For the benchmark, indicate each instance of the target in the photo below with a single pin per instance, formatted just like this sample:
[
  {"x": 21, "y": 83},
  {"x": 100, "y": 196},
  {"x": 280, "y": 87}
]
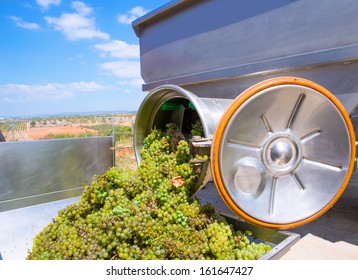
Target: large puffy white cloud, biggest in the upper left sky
[{"x": 78, "y": 25}]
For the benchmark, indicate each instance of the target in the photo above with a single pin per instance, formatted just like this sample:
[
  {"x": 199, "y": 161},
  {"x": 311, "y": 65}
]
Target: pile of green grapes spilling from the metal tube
[{"x": 145, "y": 214}]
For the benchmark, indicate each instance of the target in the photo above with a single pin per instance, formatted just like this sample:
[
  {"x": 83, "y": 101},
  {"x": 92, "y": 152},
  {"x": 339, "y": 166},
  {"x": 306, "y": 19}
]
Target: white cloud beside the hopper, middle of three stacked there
[{"x": 118, "y": 49}]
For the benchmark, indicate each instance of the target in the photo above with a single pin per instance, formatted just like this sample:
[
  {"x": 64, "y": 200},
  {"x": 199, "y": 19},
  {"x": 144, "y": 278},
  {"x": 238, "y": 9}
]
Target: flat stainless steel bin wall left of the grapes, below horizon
[{"x": 33, "y": 172}]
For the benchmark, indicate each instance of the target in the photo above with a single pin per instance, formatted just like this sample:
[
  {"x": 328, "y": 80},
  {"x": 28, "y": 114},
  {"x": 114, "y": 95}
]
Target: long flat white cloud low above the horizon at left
[{"x": 47, "y": 92}]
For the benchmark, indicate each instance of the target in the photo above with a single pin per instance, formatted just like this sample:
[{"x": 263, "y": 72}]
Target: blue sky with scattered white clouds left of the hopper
[{"x": 70, "y": 56}]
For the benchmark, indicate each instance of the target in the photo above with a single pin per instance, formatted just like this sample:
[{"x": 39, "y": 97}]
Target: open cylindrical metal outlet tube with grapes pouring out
[{"x": 173, "y": 104}]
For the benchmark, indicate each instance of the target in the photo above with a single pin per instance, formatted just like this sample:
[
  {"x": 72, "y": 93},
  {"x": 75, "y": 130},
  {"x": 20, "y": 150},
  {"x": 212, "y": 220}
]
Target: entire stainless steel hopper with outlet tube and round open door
[{"x": 282, "y": 148}]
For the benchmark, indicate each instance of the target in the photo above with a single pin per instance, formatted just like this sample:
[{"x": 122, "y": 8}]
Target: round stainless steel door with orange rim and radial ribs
[{"x": 283, "y": 153}]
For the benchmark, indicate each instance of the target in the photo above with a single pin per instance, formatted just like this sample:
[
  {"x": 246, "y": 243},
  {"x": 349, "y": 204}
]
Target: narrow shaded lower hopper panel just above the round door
[{"x": 340, "y": 78}]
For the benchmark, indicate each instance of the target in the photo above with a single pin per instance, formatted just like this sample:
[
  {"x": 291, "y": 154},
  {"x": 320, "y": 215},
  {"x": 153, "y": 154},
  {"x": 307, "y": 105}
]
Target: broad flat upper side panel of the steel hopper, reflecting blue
[{"x": 226, "y": 38}]
